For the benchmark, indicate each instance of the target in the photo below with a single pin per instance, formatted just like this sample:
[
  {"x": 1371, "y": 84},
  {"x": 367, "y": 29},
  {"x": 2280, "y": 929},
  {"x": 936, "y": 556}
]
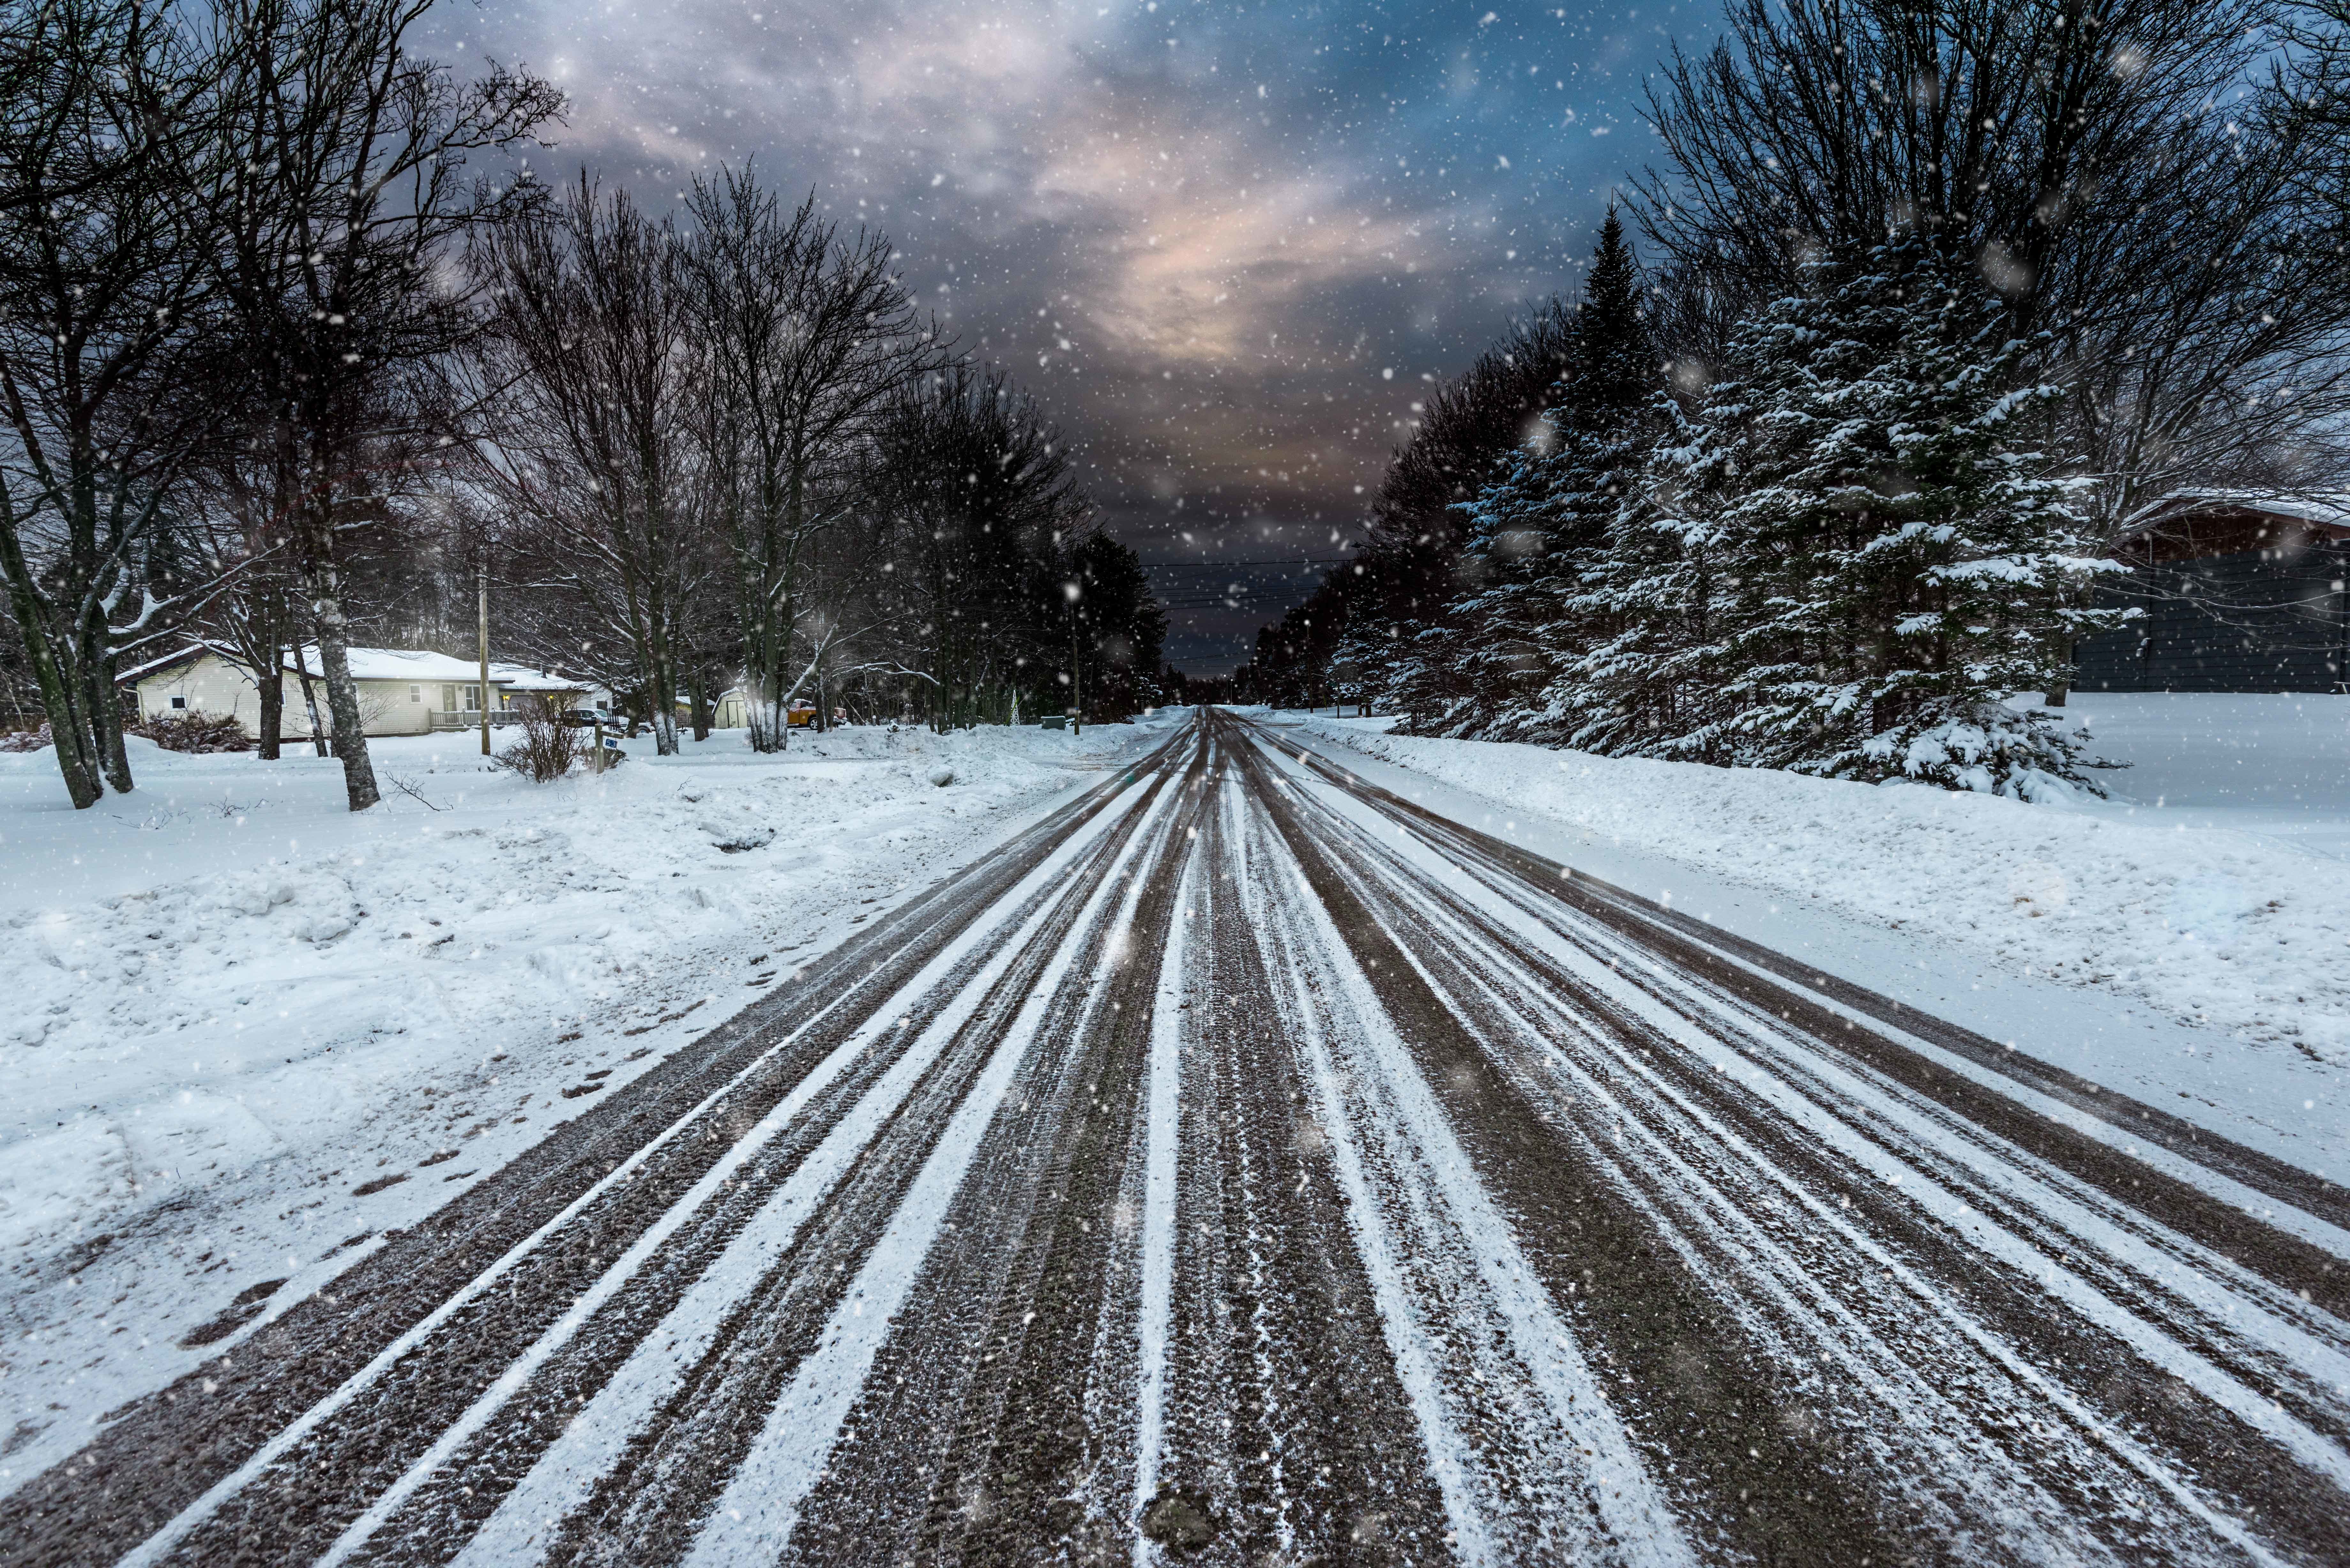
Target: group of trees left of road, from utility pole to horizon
[{"x": 723, "y": 448}]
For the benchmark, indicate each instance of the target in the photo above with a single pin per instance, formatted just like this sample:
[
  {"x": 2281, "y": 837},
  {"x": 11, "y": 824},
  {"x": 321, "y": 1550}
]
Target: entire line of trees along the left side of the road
[{"x": 295, "y": 344}]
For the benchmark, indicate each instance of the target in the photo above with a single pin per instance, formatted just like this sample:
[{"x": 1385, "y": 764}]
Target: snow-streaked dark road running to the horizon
[{"x": 1244, "y": 1167}]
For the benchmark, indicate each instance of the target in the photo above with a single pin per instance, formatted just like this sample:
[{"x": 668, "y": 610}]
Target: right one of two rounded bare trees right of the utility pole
[{"x": 807, "y": 333}]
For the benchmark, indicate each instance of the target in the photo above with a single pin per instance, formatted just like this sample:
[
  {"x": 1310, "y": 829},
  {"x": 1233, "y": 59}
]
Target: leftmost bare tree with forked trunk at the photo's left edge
[{"x": 102, "y": 314}]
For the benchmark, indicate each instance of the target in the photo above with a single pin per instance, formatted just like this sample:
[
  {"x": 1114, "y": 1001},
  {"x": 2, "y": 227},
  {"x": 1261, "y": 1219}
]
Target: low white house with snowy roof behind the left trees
[{"x": 403, "y": 692}]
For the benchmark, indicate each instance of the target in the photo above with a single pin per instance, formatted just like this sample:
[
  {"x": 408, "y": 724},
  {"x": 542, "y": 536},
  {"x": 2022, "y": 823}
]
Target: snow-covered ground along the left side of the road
[{"x": 248, "y": 1031}]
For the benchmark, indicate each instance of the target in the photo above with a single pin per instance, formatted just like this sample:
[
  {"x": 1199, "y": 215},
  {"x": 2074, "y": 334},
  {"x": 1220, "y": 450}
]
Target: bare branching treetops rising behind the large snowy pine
[{"x": 2104, "y": 163}]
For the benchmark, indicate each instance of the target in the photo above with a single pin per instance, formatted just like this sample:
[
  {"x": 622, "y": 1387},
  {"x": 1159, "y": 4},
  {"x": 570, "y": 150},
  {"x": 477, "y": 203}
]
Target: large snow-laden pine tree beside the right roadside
[{"x": 1884, "y": 561}]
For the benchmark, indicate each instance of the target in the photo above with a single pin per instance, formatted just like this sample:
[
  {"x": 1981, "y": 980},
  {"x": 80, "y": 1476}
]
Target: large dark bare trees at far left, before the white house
[{"x": 222, "y": 246}]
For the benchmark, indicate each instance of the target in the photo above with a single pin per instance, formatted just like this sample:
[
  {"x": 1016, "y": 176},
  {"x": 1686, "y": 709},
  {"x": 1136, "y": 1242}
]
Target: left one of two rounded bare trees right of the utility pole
[{"x": 589, "y": 443}]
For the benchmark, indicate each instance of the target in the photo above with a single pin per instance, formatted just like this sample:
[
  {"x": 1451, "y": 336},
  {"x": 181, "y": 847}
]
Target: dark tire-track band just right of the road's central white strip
[{"x": 1289, "y": 1435}]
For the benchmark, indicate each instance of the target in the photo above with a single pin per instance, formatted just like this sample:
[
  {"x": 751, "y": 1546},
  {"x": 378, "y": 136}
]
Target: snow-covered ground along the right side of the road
[{"x": 2210, "y": 890}]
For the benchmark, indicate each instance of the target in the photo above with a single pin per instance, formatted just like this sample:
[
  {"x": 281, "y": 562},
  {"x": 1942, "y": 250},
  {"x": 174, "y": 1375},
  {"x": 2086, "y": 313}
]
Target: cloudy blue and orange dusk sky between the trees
[{"x": 1228, "y": 246}]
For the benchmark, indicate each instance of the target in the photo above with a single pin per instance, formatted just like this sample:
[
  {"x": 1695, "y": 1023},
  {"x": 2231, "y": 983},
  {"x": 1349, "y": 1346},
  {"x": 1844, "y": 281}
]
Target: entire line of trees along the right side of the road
[{"x": 1942, "y": 295}]
